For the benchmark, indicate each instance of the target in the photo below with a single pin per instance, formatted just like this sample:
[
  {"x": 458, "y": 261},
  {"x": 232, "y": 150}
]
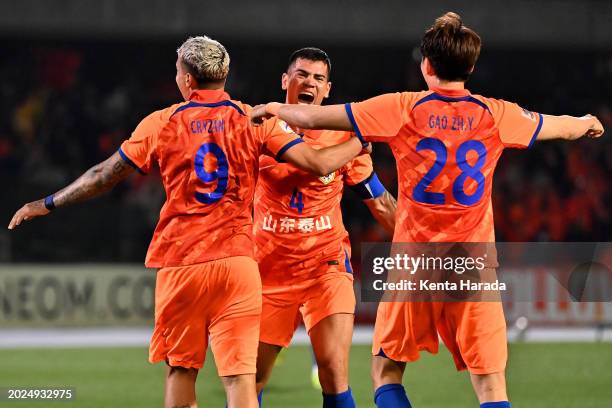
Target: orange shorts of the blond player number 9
[{"x": 220, "y": 300}]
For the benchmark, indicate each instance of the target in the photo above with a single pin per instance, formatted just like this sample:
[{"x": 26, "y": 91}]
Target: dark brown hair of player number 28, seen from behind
[{"x": 451, "y": 48}]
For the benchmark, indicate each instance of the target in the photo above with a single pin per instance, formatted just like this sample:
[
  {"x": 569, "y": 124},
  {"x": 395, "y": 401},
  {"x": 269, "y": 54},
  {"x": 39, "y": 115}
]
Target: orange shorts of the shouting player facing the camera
[{"x": 312, "y": 299}]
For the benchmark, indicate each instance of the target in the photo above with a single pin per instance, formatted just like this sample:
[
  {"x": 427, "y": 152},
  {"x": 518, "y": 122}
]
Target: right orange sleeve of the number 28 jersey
[{"x": 517, "y": 126}]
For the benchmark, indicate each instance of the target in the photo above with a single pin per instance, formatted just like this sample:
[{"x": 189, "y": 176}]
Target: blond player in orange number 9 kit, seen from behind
[{"x": 208, "y": 285}]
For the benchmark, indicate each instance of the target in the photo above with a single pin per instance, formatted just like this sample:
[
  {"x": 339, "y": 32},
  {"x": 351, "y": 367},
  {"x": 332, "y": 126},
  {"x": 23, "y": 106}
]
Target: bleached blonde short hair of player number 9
[{"x": 206, "y": 59}]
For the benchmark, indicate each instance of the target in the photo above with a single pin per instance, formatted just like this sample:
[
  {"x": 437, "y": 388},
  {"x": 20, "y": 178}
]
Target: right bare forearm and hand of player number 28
[{"x": 570, "y": 127}]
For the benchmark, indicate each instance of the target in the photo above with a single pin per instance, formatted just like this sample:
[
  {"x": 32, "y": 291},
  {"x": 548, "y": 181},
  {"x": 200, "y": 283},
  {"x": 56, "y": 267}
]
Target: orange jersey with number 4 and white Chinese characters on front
[{"x": 298, "y": 221}]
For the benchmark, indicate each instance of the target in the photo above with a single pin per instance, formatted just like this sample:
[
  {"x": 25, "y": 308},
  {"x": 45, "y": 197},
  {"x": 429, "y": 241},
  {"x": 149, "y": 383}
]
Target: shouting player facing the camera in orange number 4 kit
[{"x": 301, "y": 245}]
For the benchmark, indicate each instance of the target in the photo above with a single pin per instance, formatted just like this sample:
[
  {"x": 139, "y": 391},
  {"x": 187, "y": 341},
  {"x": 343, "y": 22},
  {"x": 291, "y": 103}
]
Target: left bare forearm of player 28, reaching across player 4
[{"x": 333, "y": 117}]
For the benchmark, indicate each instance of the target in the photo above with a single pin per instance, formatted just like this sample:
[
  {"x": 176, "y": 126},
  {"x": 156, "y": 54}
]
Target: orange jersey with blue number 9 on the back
[{"x": 208, "y": 155}]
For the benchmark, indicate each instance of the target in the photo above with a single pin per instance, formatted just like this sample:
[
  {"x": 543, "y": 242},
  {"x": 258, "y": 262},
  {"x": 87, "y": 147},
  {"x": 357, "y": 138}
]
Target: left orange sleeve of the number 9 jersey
[{"x": 139, "y": 150}]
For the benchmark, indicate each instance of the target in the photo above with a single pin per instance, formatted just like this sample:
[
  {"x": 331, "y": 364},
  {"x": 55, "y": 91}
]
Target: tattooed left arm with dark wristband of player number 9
[{"x": 95, "y": 181}]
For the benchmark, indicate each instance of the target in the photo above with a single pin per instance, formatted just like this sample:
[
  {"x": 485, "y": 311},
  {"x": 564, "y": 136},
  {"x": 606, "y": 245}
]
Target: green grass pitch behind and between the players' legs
[{"x": 539, "y": 375}]
